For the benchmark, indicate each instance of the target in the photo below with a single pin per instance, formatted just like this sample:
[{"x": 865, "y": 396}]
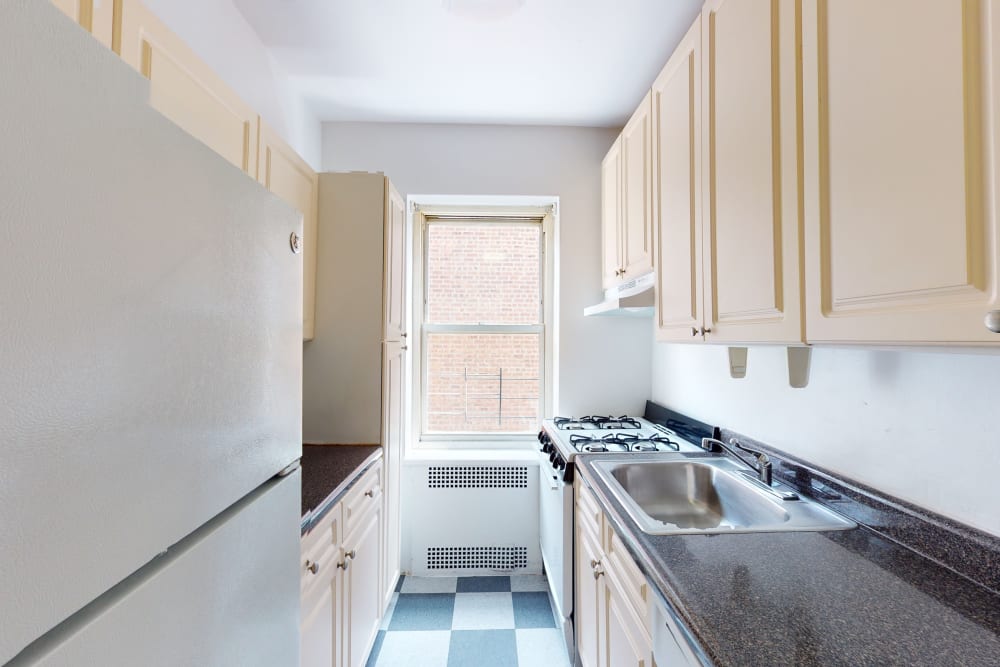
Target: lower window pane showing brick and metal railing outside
[{"x": 483, "y": 383}]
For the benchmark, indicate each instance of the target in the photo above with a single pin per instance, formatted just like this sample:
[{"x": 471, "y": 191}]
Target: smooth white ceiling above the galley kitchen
[{"x": 553, "y": 62}]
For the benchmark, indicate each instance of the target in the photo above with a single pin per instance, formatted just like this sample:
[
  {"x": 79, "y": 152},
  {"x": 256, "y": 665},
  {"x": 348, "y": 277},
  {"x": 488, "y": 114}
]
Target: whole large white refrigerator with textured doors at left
[{"x": 150, "y": 375}]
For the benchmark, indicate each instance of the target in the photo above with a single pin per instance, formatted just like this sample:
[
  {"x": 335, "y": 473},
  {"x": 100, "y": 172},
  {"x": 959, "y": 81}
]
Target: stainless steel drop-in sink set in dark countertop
[{"x": 684, "y": 495}]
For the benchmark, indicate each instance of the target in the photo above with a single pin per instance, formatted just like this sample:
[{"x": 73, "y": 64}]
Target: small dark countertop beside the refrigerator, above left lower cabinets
[{"x": 328, "y": 471}]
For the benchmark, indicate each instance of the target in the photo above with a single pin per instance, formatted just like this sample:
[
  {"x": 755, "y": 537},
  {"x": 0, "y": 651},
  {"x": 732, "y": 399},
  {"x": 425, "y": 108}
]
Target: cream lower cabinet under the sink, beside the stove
[{"x": 611, "y": 595}]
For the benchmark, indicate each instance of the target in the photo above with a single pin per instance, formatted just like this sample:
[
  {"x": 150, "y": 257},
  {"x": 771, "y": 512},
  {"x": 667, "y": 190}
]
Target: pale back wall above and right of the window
[{"x": 604, "y": 362}]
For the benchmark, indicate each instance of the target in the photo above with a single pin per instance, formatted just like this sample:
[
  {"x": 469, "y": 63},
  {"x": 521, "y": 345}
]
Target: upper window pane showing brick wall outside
[{"x": 480, "y": 273}]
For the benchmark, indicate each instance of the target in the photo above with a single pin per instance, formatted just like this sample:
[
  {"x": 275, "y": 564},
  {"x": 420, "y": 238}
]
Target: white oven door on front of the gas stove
[{"x": 556, "y": 526}]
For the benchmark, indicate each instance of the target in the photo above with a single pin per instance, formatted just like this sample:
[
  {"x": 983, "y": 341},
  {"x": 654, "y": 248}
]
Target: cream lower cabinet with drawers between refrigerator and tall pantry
[{"x": 342, "y": 564}]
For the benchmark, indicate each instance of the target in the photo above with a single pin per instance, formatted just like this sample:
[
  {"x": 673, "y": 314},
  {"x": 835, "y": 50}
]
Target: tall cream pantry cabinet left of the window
[{"x": 354, "y": 370}]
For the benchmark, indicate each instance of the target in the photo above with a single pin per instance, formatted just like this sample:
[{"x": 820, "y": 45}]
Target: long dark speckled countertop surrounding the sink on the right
[{"x": 850, "y": 597}]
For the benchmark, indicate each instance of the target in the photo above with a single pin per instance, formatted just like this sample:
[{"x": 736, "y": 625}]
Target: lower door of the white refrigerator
[{"x": 229, "y": 595}]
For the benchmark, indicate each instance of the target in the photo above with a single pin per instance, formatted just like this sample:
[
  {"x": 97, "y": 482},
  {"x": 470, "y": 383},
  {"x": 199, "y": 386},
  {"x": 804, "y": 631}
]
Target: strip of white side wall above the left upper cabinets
[{"x": 218, "y": 33}]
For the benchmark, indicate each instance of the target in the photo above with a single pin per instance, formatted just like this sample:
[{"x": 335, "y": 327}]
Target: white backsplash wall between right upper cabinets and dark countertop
[{"x": 921, "y": 426}]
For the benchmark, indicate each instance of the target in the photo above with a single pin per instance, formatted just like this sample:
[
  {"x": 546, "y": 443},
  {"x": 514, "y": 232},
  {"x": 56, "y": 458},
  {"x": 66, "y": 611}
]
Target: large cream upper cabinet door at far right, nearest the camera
[{"x": 901, "y": 139}]
